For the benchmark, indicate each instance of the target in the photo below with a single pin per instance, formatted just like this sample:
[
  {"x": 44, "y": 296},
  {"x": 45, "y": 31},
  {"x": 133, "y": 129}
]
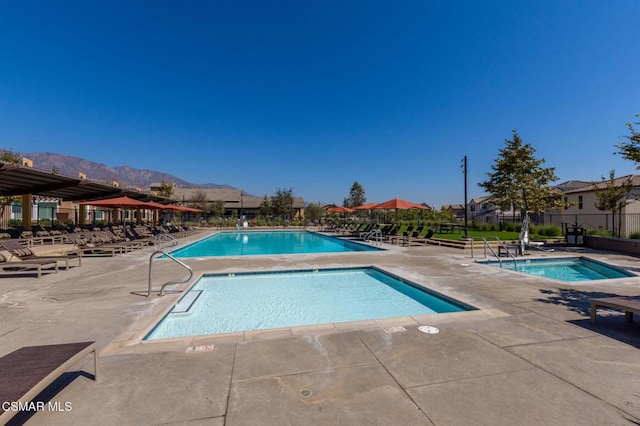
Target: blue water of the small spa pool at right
[{"x": 566, "y": 269}]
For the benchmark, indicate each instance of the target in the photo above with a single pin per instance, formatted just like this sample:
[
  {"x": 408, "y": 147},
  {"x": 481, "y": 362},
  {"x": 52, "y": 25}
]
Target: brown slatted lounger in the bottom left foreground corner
[{"x": 27, "y": 371}]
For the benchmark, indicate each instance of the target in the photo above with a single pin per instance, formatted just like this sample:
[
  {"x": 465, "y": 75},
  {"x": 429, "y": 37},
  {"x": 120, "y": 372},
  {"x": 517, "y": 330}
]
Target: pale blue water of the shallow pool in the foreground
[{"x": 256, "y": 301}]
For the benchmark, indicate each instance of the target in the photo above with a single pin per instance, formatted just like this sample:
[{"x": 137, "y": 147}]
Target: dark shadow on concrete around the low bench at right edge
[{"x": 610, "y": 322}]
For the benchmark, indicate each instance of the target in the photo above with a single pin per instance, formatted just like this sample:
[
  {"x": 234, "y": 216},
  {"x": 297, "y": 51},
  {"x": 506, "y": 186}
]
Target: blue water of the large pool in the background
[{"x": 268, "y": 242}]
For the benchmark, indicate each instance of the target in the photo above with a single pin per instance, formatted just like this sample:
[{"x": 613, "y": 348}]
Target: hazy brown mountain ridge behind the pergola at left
[{"x": 126, "y": 175}]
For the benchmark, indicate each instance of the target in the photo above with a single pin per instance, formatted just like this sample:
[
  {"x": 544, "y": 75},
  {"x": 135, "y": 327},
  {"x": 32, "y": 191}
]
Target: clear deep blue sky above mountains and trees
[{"x": 314, "y": 95}]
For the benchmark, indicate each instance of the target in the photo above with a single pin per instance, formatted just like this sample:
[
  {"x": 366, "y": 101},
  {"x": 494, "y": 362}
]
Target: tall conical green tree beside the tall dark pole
[{"x": 519, "y": 180}]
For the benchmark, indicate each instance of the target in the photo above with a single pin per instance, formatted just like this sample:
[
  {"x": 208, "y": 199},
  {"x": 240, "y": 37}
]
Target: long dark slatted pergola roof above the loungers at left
[{"x": 19, "y": 180}]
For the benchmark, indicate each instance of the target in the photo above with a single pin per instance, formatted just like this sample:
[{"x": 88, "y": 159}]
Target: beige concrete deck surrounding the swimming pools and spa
[{"x": 528, "y": 355}]
